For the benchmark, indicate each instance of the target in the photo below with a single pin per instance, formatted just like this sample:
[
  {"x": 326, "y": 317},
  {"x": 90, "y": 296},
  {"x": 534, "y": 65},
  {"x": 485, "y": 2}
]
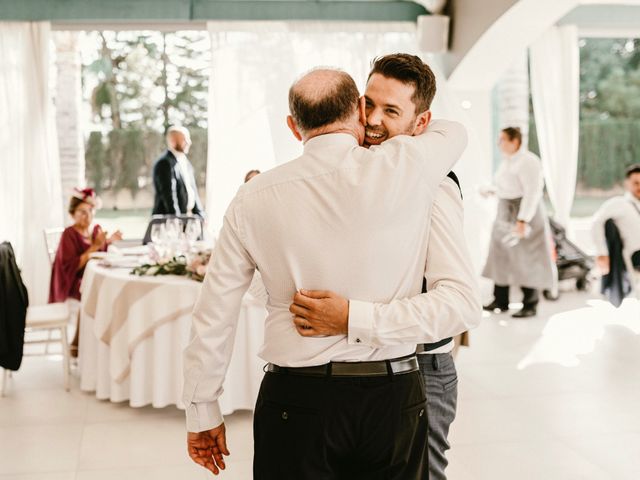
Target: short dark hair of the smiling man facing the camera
[{"x": 411, "y": 70}]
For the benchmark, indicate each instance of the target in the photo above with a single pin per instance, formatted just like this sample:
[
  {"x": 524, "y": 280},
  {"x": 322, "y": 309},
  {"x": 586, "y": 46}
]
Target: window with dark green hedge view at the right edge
[{"x": 609, "y": 119}]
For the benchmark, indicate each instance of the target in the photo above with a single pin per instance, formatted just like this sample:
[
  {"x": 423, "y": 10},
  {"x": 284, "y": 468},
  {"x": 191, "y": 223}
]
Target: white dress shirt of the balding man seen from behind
[{"x": 338, "y": 217}]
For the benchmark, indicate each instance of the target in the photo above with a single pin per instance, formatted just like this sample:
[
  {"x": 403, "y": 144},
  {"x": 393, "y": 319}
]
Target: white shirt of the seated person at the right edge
[{"x": 622, "y": 211}]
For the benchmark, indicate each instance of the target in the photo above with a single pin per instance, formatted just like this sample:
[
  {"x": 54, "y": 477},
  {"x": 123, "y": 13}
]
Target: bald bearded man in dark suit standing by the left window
[{"x": 173, "y": 179}]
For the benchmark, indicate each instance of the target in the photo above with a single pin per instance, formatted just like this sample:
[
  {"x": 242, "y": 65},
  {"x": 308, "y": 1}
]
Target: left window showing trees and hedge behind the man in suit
[{"x": 136, "y": 84}]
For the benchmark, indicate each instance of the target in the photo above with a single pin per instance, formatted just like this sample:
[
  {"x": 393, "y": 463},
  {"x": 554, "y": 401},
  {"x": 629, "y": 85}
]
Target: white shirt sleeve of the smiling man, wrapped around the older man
[{"x": 452, "y": 303}]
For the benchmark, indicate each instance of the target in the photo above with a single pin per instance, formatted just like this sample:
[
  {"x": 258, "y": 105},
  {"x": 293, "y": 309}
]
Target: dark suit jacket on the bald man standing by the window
[{"x": 171, "y": 192}]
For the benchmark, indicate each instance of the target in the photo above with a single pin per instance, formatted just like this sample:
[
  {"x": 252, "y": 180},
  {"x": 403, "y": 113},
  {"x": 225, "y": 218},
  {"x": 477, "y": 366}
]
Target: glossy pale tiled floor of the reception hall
[{"x": 551, "y": 398}]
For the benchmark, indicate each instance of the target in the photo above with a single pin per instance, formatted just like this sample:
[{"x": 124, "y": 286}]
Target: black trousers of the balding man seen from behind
[{"x": 340, "y": 428}]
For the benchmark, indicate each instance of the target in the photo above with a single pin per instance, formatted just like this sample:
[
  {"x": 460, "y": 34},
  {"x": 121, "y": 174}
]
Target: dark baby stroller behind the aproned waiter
[{"x": 571, "y": 261}]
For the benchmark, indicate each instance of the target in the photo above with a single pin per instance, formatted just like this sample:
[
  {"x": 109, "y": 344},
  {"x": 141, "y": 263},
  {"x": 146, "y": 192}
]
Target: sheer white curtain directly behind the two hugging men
[{"x": 253, "y": 66}]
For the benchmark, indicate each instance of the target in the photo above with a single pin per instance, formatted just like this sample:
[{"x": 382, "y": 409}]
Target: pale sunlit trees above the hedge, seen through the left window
[{"x": 149, "y": 80}]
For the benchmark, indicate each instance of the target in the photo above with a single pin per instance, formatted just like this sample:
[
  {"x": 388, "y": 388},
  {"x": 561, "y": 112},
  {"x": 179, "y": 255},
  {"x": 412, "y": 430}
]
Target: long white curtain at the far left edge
[{"x": 29, "y": 165}]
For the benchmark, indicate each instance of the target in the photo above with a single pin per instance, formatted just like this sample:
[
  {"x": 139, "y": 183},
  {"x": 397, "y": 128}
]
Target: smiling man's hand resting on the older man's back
[{"x": 320, "y": 312}]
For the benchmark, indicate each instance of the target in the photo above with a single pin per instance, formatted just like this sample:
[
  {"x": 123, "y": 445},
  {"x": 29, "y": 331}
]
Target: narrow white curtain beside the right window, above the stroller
[{"x": 555, "y": 90}]
